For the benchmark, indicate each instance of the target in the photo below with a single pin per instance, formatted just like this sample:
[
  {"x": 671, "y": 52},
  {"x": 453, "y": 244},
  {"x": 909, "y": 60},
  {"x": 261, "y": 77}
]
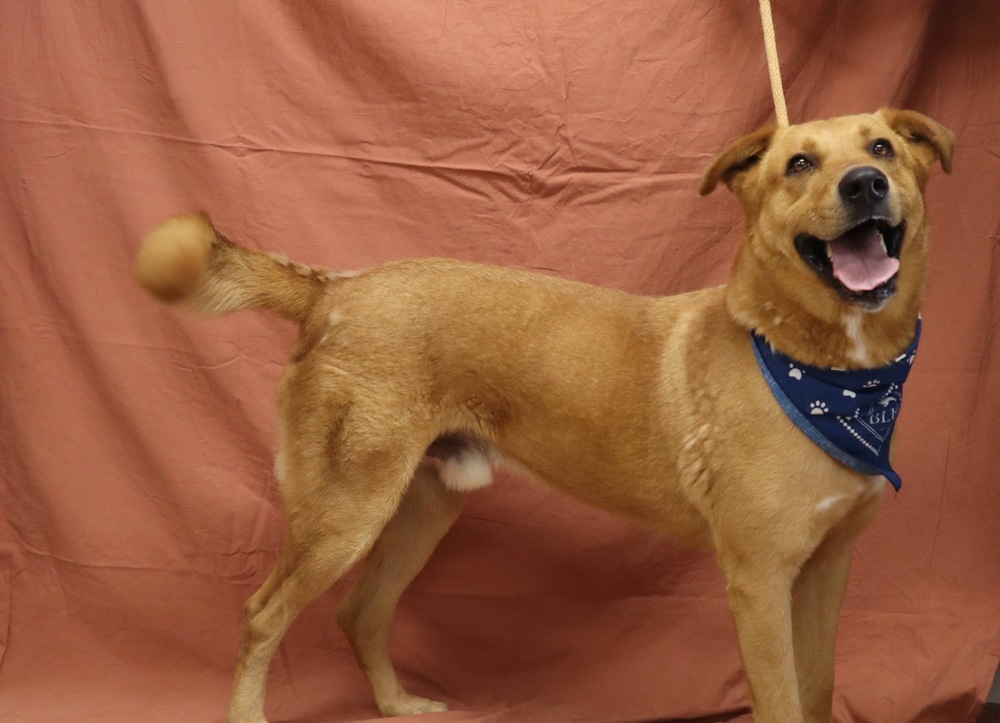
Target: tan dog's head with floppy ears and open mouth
[{"x": 834, "y": 208}]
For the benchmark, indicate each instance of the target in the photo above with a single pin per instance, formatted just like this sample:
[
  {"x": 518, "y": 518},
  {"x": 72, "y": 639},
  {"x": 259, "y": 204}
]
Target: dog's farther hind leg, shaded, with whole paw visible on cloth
[{"x": 425, "y": 515}]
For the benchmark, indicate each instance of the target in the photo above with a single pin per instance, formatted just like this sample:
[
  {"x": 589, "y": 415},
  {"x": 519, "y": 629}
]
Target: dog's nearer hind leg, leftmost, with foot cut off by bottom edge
[{"x": 330, "y": 527}]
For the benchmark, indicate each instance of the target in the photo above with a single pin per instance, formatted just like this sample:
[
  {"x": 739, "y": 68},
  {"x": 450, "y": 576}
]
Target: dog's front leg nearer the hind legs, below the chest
[{"x": 760, "y": 600}]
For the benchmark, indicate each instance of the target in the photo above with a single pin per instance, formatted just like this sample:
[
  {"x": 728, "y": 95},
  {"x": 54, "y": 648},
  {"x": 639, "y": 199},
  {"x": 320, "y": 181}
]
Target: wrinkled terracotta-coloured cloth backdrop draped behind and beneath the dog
[{"x": 565, "y": 136}]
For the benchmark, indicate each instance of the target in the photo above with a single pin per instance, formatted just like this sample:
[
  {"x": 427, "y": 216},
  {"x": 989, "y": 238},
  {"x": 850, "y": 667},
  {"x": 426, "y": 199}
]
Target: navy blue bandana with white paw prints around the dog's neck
[{"x": 849, "y": 414}]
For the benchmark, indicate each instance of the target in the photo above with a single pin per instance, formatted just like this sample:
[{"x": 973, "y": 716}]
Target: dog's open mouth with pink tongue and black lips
[{"x": 861, "y": 264}]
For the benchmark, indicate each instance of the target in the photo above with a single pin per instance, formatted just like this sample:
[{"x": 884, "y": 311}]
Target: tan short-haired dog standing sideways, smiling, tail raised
[{"x": 411, "y": 380}]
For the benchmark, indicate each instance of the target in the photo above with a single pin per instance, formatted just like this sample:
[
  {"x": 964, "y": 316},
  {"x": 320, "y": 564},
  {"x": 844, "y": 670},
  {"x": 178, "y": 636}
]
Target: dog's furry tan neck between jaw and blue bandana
[{"x": 828, "y": 332}]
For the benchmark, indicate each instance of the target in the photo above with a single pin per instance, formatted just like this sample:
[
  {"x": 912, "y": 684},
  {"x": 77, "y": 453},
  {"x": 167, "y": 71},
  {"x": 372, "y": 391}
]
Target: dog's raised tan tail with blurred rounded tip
[{"x": 185, "y": 261}]
